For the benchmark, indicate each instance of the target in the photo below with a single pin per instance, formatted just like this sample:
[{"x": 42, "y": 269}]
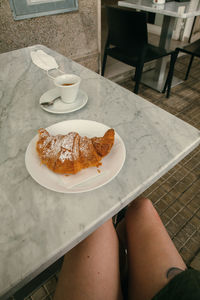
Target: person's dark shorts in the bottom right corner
[{"x": 184, "y": 286}]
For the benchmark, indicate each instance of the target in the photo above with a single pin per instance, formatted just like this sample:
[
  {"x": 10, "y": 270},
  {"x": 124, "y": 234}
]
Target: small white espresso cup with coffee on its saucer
[{"x": 69, "y": 87}]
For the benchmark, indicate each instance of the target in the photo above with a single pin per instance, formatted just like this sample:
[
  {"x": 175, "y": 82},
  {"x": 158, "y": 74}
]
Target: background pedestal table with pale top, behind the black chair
[{"x": 171, "y": 10}]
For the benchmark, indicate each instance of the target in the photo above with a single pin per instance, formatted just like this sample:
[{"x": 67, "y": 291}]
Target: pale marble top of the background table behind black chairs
[{"x": 173, "y": 9}]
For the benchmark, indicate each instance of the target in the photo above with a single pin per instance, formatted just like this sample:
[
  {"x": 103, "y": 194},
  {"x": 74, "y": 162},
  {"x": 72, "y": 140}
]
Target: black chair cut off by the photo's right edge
[{"x": 192, "y": 49}]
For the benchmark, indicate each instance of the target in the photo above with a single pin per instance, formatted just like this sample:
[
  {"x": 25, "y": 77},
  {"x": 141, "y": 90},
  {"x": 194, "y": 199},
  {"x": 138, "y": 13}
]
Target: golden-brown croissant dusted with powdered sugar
[{"x": 70, "y": 153}]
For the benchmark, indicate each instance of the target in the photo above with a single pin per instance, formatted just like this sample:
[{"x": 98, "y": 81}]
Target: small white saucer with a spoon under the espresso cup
[{"x": 60, "y": 107}]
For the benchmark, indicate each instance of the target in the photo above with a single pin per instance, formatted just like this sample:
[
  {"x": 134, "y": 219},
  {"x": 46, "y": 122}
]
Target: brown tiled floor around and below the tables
[{"x": 176, "y": 195}]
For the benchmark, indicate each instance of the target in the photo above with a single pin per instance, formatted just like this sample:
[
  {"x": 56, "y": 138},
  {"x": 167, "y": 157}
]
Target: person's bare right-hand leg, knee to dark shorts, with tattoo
[{"x": 151, "y": 253}]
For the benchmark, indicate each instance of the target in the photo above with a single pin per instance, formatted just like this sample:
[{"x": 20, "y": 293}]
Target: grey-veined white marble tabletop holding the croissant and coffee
[{"x": 37, "y": 225}]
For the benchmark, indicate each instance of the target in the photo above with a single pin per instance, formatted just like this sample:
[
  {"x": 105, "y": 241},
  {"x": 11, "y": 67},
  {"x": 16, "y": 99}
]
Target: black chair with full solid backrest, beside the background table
[{"x": 128, "y": 41}]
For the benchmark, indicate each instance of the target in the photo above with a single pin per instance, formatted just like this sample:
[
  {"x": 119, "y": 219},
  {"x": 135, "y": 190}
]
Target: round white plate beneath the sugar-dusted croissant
[{"x": 87, "y": 179}]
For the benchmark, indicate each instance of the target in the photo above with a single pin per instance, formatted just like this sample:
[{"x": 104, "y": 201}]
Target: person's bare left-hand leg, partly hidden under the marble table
[{"x": 91, "y": 269}]
